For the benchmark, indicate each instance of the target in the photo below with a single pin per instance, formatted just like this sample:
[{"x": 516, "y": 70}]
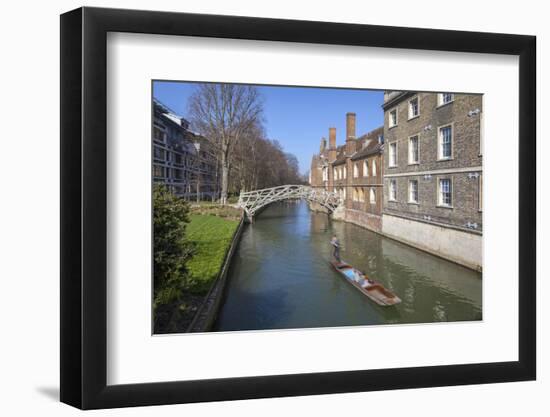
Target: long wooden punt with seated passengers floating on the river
[{"x": 372, "y": 289}]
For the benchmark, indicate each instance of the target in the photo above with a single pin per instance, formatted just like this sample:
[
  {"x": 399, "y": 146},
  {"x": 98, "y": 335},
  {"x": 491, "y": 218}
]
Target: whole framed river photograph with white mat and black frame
[{"x": 256, "y": 208}]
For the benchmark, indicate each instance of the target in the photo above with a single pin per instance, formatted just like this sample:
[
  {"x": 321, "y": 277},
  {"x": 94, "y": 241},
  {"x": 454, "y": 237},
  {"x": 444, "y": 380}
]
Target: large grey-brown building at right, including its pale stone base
[{"x": 433, "y": 173}]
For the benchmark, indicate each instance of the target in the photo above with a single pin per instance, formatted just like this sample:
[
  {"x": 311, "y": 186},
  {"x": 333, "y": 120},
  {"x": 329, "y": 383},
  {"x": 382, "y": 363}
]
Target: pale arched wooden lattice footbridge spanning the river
[{"x": 252, "y": 201}]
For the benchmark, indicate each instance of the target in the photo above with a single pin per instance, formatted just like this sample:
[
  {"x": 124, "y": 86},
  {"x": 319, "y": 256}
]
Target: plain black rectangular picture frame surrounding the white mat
[{"x": 84, "y": 207}]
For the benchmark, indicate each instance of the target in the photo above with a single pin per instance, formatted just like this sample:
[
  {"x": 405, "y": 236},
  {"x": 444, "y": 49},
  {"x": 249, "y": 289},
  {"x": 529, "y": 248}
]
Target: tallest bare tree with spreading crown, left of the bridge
[{"x": 224, "y": 113}]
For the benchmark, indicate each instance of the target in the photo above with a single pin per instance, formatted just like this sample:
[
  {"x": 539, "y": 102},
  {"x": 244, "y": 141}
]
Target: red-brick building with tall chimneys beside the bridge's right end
[{"x": 354, "y": 171}]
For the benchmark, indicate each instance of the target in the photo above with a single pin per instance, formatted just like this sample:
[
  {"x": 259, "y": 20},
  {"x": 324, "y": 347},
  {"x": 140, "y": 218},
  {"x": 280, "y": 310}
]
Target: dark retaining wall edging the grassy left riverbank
[{"x": 206, "y": 315}]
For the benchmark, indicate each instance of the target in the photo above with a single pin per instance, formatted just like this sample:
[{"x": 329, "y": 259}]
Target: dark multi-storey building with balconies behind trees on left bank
[{"x": 182, "y": 160}]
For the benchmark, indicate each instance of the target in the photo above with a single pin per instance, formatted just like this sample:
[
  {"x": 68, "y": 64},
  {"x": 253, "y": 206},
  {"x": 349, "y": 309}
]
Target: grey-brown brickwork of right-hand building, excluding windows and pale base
[{"x": 466, "y": 156}]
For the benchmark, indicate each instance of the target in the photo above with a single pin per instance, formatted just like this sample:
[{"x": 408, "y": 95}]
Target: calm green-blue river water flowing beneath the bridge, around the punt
[{"x": 280, "y": 277}]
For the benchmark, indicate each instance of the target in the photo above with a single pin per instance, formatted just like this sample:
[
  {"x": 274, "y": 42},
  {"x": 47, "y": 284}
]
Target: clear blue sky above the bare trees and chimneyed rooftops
[{"x": 297, "y": 116}]
